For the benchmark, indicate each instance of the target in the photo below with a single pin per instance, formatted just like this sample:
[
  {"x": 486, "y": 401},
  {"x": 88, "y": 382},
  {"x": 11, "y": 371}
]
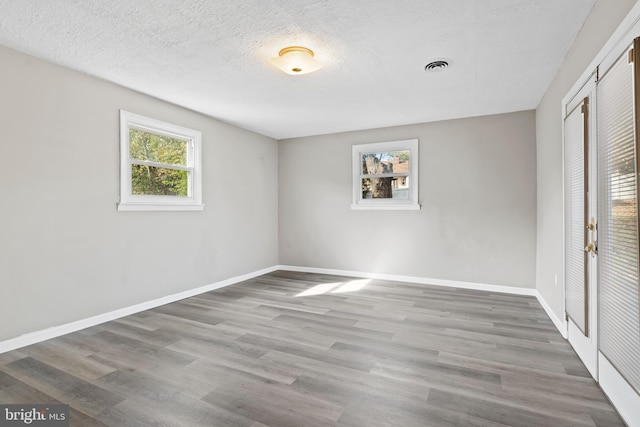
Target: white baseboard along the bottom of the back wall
[{"x": 413, "y": 279}]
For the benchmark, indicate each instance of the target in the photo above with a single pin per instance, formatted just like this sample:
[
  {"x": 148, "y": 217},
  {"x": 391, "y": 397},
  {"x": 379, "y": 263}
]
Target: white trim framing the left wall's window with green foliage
[{"x": 131, "y": 202}]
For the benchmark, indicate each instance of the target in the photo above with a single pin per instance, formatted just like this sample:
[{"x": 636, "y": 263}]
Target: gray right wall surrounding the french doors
[{"x": 601, "y": 23}]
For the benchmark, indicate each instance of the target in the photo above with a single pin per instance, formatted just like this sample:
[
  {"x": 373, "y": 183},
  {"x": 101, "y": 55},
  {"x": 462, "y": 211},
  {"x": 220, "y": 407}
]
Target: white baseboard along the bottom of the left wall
[{"x": 56, "y": 331}]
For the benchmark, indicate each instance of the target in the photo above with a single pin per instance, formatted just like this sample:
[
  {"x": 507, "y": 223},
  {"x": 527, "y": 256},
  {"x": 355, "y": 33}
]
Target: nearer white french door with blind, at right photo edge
[{"x": 618, "y": 121}]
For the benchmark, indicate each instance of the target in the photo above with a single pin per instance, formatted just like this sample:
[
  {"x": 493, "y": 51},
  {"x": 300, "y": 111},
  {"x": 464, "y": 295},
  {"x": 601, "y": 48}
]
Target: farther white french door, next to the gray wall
[{"x": 580, "y": 157}]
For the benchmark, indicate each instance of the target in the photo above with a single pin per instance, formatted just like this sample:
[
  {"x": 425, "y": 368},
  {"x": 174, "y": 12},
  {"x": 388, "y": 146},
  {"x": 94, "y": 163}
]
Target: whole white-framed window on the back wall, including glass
[{"x": 385, "y": 175}]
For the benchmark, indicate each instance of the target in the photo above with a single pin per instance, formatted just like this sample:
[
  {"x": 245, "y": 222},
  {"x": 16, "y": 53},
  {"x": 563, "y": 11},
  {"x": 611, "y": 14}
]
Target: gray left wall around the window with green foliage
[{"x": 65, "y": 252}]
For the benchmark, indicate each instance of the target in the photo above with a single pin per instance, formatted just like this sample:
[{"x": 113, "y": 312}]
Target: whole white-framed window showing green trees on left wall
[{"x": 159, "y": 165}]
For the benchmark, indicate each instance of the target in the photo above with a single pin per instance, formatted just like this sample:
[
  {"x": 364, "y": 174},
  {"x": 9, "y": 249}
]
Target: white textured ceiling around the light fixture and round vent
[{"x": 214, "y": 56}]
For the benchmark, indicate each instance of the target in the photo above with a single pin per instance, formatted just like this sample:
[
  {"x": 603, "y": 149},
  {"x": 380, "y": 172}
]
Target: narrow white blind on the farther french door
[{"x": 574, "y": 182}]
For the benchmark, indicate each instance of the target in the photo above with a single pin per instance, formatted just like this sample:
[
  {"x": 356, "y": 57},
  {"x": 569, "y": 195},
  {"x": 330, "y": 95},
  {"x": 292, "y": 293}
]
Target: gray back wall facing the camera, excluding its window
[{"x": 478, "y": 196}]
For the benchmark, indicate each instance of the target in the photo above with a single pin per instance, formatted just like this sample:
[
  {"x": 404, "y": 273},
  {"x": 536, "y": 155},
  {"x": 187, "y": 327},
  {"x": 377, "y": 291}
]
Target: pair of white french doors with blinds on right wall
[{"x": 602, "y": 240}]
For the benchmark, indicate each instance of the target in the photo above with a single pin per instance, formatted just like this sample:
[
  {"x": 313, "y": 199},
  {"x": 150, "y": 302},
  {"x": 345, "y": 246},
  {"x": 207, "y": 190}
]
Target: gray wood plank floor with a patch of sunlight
[{"x": 297, "y": 349}]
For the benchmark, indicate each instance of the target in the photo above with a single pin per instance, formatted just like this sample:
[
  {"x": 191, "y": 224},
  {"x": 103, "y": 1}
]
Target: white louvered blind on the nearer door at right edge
[{"x": 618, "y": 226}]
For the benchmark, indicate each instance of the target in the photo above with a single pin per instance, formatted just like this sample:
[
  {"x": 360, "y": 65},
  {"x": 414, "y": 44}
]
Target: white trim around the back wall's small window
[{"x": 411, "y": 203}]
